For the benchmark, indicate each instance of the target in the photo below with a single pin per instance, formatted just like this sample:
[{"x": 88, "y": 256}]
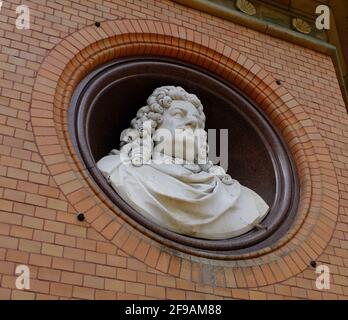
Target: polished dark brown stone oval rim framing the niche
[{"x": 286, "y": 201}]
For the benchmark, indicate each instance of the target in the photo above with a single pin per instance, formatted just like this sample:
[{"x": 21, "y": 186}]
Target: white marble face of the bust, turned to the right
[{"x": 177, "y": 130}]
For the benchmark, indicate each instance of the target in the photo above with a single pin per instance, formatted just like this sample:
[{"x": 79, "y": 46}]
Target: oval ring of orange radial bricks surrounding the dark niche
[{"x": 78, "y": 54}]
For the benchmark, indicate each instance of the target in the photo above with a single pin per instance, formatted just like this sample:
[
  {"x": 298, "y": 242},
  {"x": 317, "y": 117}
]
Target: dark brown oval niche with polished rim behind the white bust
[{"x": 107, "y": 100}]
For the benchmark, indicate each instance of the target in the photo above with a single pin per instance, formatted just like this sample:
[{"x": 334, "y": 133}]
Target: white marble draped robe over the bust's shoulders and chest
[{"x": 194, "y": 204}]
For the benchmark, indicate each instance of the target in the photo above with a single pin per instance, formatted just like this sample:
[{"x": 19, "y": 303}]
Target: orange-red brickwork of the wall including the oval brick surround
[{"x": 37, "y": 216}]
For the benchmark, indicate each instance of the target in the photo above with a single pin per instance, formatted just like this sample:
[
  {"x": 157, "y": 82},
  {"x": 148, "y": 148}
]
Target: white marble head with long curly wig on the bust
[{"x": 169, "y": 110}]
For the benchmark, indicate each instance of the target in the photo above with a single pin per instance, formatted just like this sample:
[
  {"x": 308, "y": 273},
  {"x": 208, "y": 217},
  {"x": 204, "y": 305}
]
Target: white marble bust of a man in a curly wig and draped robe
[{"x": 161, "y": 170}]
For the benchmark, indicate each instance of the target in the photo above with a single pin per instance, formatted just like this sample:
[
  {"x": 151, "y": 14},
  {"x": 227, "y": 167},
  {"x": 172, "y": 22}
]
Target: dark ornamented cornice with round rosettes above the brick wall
[{"x": 278, "y": 20}]
